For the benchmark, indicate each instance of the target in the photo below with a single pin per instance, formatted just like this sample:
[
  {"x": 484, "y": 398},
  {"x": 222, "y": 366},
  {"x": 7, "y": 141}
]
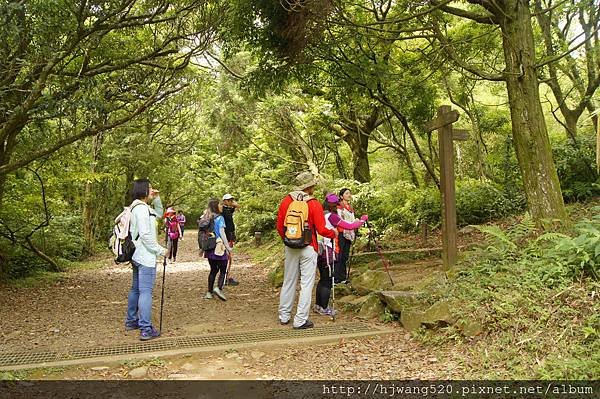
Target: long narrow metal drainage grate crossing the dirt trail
[{"x": 166, "y": 344}]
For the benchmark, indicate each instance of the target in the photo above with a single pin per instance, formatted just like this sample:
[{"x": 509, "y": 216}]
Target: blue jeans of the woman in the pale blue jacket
[{"x": 139, "y": 301}]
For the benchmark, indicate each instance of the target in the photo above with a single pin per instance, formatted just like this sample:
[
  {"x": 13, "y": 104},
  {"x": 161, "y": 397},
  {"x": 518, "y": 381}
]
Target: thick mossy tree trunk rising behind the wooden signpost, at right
[{"x": 530, "y": 135}]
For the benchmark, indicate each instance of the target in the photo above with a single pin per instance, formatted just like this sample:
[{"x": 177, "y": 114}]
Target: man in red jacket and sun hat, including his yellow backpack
[{"x": 299, "y": 219}]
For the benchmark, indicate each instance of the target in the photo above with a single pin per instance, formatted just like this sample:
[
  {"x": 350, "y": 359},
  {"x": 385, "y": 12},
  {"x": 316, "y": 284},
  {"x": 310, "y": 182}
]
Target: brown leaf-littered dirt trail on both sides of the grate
[{"x": 87, "y": 309}]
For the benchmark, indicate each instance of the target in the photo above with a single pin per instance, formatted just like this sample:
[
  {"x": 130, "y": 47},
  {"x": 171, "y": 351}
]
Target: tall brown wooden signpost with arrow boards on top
[{"x": 446, "y": 116}]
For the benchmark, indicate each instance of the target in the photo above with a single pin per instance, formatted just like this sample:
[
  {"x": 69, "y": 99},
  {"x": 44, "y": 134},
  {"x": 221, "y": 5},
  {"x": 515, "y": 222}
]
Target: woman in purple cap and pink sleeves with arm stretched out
[{"x": 329, "y": 257}]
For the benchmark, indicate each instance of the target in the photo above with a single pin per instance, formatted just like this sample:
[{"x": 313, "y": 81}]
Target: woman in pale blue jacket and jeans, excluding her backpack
[{"x": 143, "y": 263}]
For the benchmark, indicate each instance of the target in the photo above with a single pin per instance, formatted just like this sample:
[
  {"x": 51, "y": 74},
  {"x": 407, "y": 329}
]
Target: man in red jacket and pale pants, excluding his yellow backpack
[{"x": 301, "y": 262}]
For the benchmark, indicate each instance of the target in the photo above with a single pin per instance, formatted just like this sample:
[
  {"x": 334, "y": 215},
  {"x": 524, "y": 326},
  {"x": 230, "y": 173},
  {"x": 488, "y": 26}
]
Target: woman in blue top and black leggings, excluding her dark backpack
[{"x": 219, "y": 256}]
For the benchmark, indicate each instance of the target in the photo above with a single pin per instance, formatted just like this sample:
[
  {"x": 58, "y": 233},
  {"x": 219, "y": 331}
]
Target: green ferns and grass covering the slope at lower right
[{"x": 536, "y": 296}]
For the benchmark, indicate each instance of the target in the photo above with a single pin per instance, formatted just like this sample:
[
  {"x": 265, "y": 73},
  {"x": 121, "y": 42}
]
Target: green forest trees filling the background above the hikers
[{"x": 207, "y": 97}]
